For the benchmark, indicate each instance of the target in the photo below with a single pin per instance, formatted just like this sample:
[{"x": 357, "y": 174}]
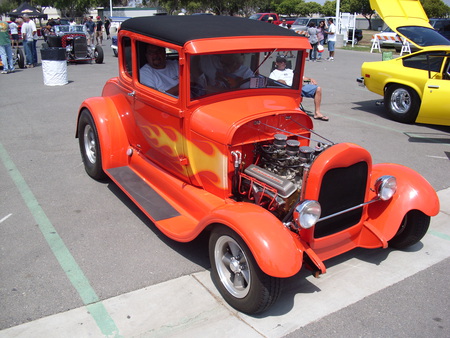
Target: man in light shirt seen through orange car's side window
[{"x": 159, "y": 73}]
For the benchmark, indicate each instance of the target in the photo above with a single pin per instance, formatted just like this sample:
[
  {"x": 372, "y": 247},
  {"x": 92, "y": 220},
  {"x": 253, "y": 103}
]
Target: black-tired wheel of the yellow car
[{"x": 402, "y": 103}]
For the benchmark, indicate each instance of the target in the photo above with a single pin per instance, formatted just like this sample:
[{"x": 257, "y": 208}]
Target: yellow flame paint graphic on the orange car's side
[{"x": 205, "y": 159}]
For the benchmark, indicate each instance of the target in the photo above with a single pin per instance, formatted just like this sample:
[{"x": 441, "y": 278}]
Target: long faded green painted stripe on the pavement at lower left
[{"x": 62, "y": 254}]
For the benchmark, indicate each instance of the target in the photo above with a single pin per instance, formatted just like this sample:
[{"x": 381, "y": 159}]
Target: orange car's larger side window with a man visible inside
[{"x": 158, "y": 68}]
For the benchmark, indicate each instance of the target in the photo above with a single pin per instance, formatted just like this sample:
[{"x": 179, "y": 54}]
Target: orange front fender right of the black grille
[{"x": 413, "y": 193}]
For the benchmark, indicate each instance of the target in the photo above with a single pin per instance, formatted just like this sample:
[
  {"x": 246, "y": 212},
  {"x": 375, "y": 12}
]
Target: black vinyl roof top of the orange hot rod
[{"x": 180, "y": 29}]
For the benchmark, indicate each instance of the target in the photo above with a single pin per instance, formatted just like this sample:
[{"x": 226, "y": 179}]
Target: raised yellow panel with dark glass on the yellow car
[{"x": 408, "y": 19}]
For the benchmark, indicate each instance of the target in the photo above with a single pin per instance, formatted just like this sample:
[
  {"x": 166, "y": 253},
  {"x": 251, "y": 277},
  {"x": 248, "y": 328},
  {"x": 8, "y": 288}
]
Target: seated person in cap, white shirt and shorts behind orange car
[{"x": 312, "y": 90}]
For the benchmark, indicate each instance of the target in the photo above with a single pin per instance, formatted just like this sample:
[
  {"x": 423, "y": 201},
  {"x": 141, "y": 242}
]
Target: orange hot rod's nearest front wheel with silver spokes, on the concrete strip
[{"x": 236, "y": 274}]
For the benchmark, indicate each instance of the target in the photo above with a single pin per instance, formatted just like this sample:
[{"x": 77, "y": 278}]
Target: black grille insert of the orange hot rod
[{"x": 341, "y": 188}]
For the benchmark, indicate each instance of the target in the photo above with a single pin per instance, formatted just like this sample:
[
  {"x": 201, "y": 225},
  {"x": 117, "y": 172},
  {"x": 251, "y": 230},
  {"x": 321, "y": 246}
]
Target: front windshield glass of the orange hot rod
[{"x": 217, "y": 73}]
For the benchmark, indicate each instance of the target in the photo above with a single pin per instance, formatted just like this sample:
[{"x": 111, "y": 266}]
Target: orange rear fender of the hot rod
[{"x": 113, "y": 139}]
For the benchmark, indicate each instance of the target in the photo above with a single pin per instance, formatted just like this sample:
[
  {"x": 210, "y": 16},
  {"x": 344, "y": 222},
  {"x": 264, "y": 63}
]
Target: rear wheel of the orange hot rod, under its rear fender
[{"x": 90, "y": 145}]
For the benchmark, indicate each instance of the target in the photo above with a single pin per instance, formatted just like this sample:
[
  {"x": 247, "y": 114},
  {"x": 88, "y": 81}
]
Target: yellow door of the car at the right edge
[{"x": 435, "y": 108}]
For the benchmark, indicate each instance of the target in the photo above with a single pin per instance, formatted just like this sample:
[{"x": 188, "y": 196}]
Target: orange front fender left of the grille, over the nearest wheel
[{"x": 275, "y": 250}]
